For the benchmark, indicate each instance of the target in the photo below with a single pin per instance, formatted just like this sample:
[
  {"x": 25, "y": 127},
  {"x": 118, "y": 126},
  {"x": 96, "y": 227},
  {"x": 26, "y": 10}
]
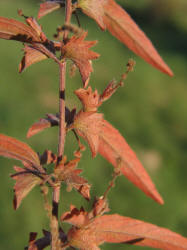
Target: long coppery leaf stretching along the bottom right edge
[{"x": 118, "y": 229}]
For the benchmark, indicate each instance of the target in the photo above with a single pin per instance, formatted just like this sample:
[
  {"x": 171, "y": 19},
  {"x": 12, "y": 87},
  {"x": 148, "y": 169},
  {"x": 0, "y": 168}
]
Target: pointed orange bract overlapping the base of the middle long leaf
[{"x": 89, "y": 126}]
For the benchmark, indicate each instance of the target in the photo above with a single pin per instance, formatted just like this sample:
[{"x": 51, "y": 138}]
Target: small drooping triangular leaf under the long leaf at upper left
[{"x": 31, "y": 56}]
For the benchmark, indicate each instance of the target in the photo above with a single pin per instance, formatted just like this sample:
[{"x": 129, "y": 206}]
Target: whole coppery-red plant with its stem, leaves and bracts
[{"x": 90, "y": 229}]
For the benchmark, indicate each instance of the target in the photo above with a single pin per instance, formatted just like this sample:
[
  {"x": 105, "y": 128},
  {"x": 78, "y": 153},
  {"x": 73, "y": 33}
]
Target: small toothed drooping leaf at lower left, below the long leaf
[{"x": 25, "y": 182}]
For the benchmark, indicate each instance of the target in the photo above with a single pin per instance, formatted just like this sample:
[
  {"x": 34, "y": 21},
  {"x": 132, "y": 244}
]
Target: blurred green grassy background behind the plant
[{"x": 150, "y": 112}]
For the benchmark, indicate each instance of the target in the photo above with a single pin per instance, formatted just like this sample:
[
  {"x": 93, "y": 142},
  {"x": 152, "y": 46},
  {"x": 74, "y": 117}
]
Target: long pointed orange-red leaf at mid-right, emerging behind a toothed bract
[{"x": 114, "y": 148}]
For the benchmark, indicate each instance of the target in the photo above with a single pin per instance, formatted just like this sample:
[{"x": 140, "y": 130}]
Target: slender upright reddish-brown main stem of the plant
[{"x": 55, "y": 244}]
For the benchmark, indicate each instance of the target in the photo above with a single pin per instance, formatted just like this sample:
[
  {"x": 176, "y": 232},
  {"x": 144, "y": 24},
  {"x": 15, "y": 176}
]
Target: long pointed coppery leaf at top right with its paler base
[{"x": 110, "y": 15}]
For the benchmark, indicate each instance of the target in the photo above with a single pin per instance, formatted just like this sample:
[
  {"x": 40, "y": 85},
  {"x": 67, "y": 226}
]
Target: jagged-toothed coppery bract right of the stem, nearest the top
[{"x": 78, "y": 51}]
